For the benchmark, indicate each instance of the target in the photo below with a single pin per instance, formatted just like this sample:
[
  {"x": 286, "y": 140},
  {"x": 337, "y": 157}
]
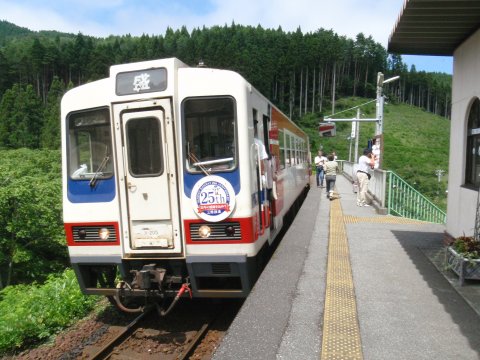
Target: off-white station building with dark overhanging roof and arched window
[{"x": 451, "y": 28}]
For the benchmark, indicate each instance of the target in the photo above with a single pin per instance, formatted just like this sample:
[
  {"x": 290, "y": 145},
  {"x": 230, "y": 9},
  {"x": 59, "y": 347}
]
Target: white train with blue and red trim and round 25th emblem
[{"x": 165, "y": 192}]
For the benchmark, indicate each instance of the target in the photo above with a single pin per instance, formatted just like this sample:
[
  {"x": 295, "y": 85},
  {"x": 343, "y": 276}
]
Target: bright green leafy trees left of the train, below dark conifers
[{"x": 32, "y": 244}]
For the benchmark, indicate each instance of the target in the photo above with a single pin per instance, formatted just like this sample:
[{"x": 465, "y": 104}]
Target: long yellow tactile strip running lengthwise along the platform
[{"x": 341, "y": 332}]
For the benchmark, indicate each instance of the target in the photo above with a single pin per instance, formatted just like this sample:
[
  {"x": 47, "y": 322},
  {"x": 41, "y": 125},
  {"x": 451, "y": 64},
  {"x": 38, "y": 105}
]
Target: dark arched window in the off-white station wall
[{"x": 472, "y": 170}]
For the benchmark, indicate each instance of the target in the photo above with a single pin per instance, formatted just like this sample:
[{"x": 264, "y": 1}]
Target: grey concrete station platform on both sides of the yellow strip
[{"x": 408, "y": 305}]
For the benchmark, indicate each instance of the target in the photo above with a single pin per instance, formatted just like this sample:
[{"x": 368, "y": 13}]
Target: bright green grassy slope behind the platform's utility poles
[{"x": 416, "y": 144}]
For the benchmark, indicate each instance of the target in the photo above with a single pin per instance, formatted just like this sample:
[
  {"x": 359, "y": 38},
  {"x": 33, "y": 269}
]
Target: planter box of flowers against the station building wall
[{"x": 463, "y": 257}]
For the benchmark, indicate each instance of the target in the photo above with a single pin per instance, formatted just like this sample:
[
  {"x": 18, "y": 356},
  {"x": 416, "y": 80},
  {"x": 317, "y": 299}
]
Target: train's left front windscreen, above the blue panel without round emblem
[{"x": 90, "y": 145}]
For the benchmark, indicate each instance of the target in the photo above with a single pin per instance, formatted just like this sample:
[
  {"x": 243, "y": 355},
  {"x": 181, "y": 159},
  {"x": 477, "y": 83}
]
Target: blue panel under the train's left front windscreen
[{"x": 79, "y": 191}]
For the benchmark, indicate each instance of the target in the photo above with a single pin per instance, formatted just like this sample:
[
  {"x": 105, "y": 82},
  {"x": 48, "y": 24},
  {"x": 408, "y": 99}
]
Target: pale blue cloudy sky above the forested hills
[{"x": 102, "y": 18}]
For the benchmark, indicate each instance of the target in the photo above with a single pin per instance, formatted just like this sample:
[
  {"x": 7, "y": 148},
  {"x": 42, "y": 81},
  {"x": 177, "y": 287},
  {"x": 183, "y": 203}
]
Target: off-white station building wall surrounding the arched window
[{"x": 461, "y": 206}]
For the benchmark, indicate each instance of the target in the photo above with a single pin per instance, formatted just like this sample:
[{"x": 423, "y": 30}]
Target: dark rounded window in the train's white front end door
[{"x": 144, "y": 147}]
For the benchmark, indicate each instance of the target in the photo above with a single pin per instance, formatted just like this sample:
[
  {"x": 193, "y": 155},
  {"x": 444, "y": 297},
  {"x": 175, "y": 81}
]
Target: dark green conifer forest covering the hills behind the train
[{"x": 302, "y": 73}]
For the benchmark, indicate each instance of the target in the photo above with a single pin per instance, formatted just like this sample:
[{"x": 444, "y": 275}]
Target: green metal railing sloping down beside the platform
[{"x": 405, "y": 201}]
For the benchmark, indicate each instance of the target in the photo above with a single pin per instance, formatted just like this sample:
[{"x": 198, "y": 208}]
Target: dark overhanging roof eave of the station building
[{"x": 434, "y": 27}]
